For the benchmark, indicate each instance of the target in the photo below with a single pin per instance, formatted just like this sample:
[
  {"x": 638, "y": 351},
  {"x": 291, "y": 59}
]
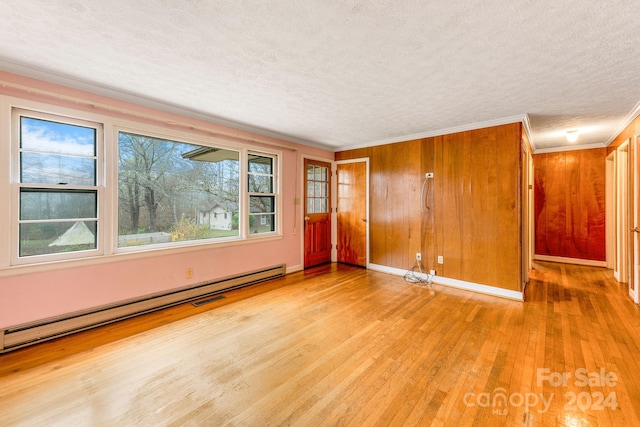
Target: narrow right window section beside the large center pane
[{"x": 262, "y": 195}]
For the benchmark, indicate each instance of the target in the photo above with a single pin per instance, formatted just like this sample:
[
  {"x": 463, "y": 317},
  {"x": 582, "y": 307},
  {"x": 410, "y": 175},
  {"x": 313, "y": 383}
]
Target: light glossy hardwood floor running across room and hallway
[{"x": 339, "y": 345}]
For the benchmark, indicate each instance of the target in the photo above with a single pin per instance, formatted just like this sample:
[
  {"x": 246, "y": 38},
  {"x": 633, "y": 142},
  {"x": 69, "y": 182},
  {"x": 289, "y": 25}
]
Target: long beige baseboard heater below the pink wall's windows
[{"x": 48, "y": 329}]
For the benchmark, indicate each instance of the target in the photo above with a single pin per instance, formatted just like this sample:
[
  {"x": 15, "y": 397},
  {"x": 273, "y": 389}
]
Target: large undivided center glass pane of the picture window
[{"x": 171, "y": 191}]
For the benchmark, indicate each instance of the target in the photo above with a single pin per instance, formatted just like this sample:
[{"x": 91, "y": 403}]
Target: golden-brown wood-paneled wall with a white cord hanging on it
[{"x": 473, "y": 219}]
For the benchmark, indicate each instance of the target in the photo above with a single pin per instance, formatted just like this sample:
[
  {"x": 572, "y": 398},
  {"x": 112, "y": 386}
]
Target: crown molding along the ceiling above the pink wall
[{"x": 85, "y": 86}]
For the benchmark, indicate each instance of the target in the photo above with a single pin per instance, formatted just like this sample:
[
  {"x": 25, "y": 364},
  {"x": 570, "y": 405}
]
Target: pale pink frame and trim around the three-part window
[{"x": 106, "y": 176}]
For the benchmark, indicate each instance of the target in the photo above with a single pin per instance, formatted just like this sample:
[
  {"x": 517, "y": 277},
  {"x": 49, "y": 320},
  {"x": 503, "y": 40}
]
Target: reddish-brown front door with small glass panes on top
[{"x": 317, "y": 213}]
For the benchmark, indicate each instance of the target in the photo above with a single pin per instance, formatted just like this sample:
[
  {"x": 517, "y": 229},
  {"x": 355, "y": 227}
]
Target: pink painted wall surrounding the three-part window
[{"x": 39, "y": 295}]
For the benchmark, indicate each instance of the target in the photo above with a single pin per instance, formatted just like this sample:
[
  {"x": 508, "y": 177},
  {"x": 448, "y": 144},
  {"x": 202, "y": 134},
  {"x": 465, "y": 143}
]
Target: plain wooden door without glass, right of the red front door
[{"x": 351, "y": 217}]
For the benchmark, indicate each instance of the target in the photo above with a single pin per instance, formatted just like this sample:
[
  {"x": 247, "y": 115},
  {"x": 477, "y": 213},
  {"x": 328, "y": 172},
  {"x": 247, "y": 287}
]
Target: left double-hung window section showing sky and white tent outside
[{"x": 57, "y": 180}]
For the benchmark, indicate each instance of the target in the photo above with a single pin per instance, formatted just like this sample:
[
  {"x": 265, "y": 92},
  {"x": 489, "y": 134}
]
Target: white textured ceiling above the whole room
[{"x": 346, "y": 73}]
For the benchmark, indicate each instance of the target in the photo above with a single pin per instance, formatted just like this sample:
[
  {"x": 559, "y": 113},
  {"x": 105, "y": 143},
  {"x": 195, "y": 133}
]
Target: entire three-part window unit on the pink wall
[{"x": 77, "y": 192}]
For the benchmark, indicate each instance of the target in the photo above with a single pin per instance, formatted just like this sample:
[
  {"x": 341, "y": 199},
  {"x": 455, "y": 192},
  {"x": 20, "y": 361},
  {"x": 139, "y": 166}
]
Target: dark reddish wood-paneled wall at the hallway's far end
[{"x": 570, "y": 204}]
